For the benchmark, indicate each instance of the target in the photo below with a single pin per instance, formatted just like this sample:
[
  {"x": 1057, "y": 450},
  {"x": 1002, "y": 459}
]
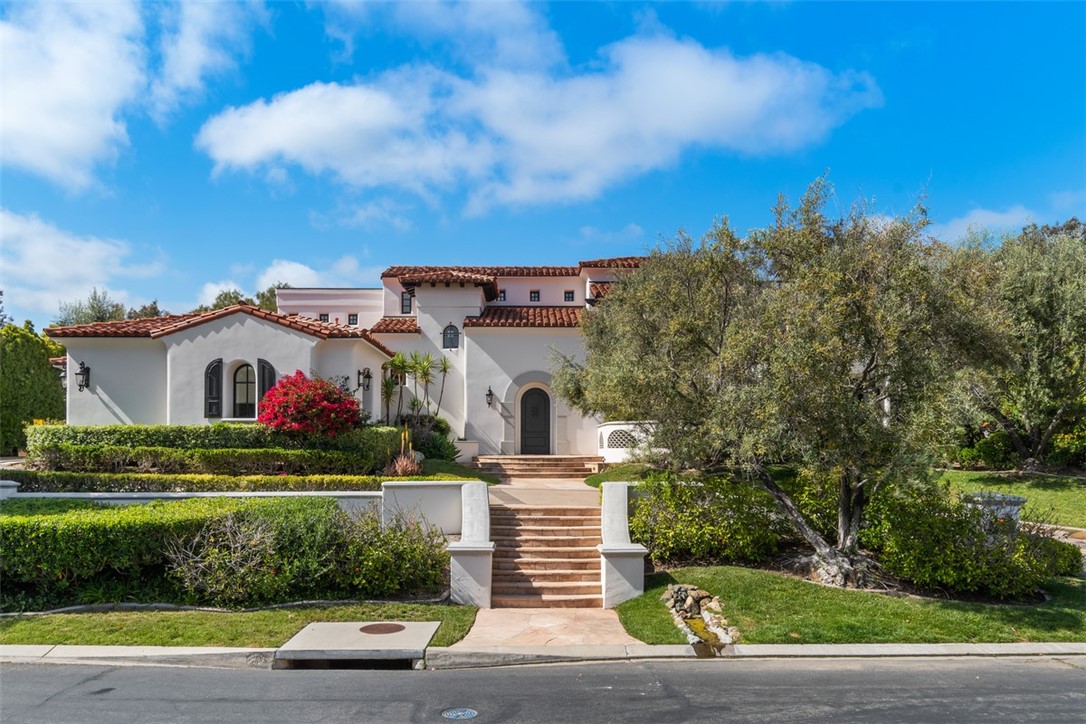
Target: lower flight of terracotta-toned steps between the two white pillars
[{"x": 546, "y": 556}]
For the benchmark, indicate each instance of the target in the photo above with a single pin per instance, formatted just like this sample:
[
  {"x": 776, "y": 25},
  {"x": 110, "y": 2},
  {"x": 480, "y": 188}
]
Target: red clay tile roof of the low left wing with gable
[{"x": 156, "y": 327}]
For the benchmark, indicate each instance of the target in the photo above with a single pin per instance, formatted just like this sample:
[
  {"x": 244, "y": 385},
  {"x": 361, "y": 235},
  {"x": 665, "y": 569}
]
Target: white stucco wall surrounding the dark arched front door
[{"x": 510, "y": 362}]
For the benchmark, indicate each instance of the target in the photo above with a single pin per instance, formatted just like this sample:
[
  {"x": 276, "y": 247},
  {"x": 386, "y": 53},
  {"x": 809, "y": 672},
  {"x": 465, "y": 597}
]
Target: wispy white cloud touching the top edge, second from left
[{"x": 199, "y": 40}]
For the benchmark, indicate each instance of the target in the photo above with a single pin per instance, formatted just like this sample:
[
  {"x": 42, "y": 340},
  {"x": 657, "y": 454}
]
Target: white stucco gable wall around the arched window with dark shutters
[{"x": 237, "y": 339}]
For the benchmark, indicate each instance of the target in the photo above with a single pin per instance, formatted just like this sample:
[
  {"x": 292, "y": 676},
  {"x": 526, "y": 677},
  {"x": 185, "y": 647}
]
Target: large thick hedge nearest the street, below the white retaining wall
[{"x": 212, "y": 551}]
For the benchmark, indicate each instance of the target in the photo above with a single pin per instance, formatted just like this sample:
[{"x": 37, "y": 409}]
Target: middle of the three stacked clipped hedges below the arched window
[{"x": 222, "y": 462}]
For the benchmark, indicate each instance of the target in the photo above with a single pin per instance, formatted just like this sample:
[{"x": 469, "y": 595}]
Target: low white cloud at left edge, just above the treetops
[{"x": 44, "y": 265}]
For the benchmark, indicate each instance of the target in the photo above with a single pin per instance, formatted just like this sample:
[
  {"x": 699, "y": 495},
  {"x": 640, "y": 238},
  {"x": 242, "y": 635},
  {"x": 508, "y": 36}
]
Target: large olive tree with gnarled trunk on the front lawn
[{"x": 820, "y": 342}]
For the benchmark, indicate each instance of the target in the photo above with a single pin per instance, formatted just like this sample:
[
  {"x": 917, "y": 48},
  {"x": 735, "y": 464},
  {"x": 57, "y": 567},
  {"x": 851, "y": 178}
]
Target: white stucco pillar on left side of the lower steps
[{"x": 471, "y": 564}]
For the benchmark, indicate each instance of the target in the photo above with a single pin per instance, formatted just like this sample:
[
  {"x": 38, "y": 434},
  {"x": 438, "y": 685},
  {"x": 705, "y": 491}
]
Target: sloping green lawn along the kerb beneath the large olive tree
[{"x": 771, "y": 608}]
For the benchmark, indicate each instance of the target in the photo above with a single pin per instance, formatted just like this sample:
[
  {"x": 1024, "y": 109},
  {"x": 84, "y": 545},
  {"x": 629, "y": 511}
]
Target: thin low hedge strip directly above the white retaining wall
[{"x": 32, "y": 481}]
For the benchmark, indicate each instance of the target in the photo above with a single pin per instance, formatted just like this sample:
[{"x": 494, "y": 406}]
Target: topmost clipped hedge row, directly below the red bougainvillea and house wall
[{"x": 213, "y": 437}]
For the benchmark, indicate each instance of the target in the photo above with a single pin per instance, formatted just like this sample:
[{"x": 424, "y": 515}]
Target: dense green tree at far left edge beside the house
[{"x": 30, "y": 388}]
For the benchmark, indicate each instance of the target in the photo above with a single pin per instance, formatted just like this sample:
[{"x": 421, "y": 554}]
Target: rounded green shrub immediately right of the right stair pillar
[{"x": 715, "y": 520}]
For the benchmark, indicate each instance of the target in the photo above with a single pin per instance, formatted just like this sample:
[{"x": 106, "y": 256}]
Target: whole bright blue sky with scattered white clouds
[{"x": 167, "y": 151}]
